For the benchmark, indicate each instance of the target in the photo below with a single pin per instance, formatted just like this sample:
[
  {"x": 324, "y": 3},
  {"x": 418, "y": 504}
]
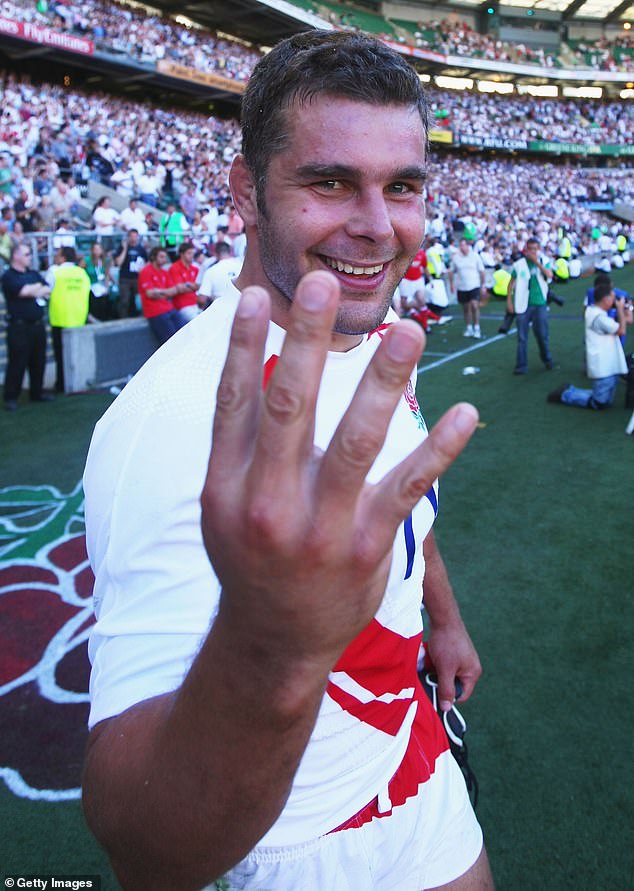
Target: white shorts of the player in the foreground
[{"x": 430, "y": 840}]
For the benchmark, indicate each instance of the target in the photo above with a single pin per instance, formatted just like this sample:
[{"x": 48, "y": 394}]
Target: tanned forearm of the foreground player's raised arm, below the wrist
[{"x": 179, "y": 788}]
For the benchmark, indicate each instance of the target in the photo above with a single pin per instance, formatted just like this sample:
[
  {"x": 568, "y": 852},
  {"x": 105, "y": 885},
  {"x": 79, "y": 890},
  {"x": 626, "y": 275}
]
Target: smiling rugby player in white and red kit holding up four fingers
[{"x": 262, "y": 719}]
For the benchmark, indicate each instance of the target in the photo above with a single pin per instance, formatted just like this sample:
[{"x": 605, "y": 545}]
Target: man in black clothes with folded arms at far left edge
[{"x": 25, "y": 293}]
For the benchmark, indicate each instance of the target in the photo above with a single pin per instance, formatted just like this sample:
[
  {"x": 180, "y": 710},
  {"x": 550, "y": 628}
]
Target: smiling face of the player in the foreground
[{"x": 345, "y": 195}]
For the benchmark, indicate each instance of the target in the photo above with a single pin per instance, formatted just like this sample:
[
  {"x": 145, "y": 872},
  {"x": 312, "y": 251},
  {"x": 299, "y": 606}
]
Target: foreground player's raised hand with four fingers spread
[{"x": 300, "y": 542}]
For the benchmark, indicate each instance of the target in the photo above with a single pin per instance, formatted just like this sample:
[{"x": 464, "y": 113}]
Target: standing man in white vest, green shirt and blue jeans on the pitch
[{"x": 528, "y": 299}]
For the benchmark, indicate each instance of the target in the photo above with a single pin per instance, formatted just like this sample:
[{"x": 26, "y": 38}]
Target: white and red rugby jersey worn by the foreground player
[{"x": 156, "y": 593}]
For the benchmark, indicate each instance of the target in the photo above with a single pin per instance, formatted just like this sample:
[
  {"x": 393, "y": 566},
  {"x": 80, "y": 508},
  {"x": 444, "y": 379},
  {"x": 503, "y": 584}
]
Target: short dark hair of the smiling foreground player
[{"x": 316, "y": 63}]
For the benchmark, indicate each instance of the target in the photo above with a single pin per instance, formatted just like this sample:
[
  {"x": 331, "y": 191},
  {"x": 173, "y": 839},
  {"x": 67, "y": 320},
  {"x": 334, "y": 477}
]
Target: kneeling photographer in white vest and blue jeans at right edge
[{"x": 605, "y": 359}]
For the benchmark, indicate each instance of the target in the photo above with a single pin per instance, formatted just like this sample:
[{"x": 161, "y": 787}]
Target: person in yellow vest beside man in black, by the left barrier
[{"x": 68, "y": 304}]
